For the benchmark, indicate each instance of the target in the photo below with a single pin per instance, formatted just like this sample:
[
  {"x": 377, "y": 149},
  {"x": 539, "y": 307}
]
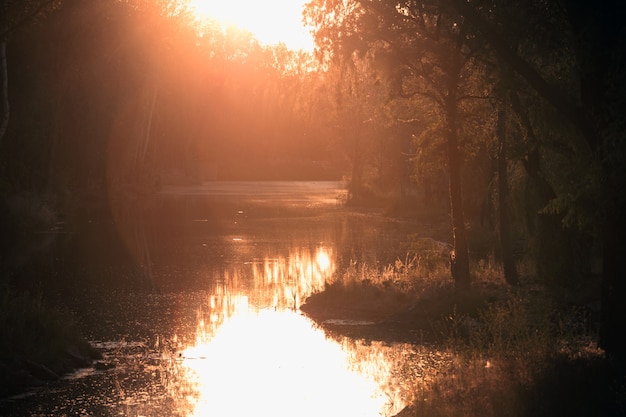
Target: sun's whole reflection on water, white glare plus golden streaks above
[{"x": 255, "y": 354}]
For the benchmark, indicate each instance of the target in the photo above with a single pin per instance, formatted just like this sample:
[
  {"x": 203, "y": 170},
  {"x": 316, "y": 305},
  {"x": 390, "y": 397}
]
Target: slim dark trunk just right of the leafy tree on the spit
[{"x": 508, "y": 260}]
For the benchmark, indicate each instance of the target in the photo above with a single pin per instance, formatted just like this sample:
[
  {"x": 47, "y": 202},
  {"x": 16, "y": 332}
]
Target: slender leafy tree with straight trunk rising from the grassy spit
[{"x": 426, "y": 52}]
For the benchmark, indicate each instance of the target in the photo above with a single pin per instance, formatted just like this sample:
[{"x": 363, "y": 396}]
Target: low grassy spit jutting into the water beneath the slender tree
[{"x": 399, "y": 312}]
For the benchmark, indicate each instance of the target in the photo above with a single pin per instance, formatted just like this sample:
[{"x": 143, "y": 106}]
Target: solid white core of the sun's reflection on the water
[{"x": 277, "y": 363}]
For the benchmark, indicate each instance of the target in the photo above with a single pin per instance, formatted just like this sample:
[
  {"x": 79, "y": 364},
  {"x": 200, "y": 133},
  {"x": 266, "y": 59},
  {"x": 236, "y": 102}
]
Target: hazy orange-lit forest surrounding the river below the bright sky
[{"x": 509, "y": 118}]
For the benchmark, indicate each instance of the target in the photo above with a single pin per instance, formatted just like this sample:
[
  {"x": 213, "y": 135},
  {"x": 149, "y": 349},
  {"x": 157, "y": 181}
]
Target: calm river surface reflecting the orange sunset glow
[{"x": 213, "y": 327}]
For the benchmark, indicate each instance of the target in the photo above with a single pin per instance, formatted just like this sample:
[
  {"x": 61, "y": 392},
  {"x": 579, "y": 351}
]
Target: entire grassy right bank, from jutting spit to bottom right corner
[{"x": 517, "y": 351}]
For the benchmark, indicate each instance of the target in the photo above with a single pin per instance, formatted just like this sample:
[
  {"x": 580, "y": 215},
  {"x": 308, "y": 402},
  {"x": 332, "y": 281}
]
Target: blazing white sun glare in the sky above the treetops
[{"x": 271, "y": 21}]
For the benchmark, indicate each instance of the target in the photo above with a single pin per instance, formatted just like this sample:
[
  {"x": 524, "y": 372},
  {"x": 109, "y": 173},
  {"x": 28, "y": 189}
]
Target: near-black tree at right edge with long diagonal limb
[{"x": 599, "y": 37}]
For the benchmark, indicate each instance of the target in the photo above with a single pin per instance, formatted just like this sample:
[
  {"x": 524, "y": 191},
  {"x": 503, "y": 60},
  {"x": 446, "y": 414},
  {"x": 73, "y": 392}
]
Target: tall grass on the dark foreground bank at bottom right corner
[{"x": 518, "y": 353}]
